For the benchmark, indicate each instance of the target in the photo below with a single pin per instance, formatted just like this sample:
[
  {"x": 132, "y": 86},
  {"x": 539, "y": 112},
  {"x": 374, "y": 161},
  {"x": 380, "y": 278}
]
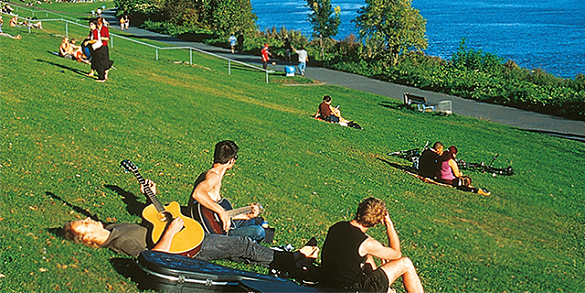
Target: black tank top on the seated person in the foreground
[{"x": 340, "y": 259}]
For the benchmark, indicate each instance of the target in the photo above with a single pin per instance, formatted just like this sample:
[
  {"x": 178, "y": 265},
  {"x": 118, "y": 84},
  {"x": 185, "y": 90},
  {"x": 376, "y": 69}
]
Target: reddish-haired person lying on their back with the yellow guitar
[{"x": 131, "y": 239}]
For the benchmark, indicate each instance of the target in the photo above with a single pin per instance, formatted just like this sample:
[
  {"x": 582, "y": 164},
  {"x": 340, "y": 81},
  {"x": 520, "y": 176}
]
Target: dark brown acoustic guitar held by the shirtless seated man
[{"x": 210, "y": 220}]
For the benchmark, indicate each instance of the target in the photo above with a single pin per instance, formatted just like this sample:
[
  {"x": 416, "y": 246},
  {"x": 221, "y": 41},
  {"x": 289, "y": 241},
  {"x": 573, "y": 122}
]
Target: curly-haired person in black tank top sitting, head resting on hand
[{"x": 347, "y": 258}]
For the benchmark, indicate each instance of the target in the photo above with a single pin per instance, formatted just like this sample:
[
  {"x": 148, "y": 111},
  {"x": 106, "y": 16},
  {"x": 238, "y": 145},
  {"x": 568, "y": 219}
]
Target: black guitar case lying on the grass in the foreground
[{"x": 176, "y": 273}]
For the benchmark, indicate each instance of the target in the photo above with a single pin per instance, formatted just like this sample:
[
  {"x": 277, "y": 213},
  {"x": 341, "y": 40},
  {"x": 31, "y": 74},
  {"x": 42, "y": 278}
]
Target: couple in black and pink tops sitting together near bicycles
[{"x": 439, "y": 164}]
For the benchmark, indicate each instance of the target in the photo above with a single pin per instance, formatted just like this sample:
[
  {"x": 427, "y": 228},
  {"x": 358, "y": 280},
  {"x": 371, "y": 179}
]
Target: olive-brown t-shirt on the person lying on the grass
[{"x": 127, "y": 238}]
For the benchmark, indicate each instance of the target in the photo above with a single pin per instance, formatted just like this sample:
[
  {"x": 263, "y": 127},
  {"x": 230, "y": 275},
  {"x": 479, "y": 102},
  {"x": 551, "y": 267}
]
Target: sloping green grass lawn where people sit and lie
[{"x": 63, "y": 136}]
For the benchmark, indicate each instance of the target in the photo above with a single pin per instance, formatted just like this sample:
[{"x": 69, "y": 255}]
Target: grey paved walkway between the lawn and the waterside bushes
[{"x": 522, "y": 119}]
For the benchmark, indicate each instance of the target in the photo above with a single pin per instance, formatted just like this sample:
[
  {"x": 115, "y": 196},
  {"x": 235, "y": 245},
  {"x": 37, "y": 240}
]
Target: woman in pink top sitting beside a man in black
[{"x": 448, "y": 173}]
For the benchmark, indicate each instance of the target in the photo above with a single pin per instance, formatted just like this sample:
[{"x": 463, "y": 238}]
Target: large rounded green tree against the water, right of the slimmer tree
[{"x": 391, "y": 27}]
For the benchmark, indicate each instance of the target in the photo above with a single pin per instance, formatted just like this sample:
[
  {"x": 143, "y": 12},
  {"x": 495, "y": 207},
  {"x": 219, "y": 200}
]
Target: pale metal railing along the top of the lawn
[{"x": 157, "y": 48}]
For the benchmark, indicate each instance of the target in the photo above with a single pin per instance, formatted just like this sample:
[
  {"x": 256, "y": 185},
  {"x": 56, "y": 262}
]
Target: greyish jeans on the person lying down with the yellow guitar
[{"x": 239, "y": 249}]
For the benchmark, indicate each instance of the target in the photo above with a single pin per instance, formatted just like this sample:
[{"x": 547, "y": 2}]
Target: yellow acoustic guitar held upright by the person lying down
[{"x": 188, "y": 241}]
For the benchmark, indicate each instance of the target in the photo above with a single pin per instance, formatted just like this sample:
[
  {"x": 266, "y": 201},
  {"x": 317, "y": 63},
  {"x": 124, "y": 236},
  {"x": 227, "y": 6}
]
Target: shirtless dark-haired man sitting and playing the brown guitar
[{"x": 206, "y": 196}]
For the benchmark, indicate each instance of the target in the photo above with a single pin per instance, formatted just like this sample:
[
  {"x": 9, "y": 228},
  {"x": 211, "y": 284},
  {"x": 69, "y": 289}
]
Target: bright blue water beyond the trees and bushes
[{"x": 533, "y": 33}]
